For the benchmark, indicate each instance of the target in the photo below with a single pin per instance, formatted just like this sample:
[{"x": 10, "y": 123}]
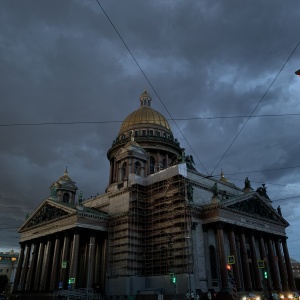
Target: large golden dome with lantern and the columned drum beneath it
[{"x": 148, "y": 132}]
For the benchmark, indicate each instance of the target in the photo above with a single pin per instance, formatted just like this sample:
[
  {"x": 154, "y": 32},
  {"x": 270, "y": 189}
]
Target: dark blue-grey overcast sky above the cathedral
[{"x": 212, "y": 64}]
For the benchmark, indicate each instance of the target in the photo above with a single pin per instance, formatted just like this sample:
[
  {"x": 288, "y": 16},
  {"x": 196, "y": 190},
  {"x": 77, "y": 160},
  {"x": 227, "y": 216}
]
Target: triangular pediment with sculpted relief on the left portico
[{"x": 48, "y": 211}]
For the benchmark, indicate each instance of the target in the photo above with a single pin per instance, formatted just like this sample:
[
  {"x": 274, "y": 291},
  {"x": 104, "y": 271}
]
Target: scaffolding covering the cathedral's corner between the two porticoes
[{"x": 151, "y": 238}]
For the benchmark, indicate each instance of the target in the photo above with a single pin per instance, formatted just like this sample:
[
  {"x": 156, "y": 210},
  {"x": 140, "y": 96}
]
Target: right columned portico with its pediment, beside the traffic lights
[{"x": 247, "y": 229}]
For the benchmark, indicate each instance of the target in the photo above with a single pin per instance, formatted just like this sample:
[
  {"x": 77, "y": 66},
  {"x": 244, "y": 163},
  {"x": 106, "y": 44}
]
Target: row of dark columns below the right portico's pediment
[{"x": 272, "y": 249}]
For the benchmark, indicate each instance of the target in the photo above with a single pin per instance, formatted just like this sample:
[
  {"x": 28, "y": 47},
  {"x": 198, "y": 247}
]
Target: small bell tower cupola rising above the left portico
[{"x": 64, "y": 189}]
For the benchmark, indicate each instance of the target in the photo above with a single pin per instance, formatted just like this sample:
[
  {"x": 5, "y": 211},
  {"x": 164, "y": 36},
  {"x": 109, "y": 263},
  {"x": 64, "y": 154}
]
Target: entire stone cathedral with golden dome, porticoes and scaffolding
[{"x": 161, "y": 227}]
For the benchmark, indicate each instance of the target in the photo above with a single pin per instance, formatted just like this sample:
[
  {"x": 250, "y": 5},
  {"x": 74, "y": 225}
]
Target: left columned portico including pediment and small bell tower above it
[{"x": 62, "y": 243}]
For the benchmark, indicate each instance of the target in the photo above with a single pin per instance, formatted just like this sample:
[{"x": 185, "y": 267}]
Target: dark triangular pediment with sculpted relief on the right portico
[{"x": 255, "y": 206}]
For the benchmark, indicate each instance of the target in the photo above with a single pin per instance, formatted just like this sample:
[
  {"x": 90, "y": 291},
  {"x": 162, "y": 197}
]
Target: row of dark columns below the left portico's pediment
[{"x": 40, "y": 261}]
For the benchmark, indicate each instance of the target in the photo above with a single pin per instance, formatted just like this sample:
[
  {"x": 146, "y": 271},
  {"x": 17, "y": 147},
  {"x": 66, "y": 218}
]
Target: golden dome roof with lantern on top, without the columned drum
[{"x": 144, "y": 115}]
